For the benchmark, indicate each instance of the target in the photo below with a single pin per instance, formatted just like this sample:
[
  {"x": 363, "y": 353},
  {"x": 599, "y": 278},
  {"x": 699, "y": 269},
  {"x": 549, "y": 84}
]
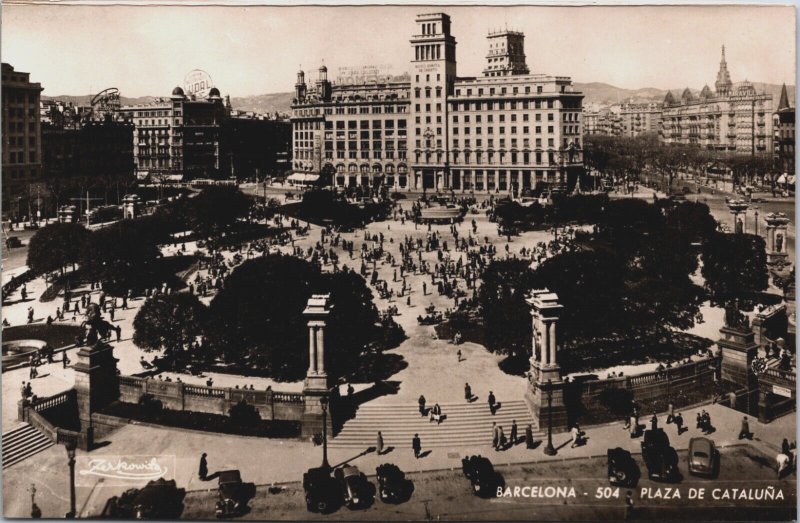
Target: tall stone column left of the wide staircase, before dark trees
[{"x": 316, "y": 386}]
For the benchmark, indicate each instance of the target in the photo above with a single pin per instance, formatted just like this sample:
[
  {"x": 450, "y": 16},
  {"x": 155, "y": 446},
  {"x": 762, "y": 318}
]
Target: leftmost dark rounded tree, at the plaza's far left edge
[{"x": 55, "y": 246}]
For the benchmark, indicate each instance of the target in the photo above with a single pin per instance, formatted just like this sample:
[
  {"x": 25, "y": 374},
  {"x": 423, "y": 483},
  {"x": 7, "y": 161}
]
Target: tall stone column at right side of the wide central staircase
[{"x": 545, "y": 312}]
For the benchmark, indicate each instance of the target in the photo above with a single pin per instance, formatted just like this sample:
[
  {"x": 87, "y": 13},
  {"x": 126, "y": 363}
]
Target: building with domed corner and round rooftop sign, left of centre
[{"x": 179, "y": 137}]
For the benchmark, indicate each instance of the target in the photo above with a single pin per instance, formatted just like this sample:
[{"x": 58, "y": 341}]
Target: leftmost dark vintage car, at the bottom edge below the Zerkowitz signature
[{"x": 159, "y": 499}]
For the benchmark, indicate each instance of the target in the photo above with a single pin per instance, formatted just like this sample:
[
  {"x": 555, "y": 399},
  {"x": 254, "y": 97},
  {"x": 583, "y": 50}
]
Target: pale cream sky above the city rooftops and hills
[{"x": 147, "y": 50}]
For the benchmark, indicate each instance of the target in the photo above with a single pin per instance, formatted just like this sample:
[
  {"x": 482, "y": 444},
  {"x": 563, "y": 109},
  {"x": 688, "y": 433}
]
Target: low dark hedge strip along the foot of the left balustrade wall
[{"x": 202, "y": 421}]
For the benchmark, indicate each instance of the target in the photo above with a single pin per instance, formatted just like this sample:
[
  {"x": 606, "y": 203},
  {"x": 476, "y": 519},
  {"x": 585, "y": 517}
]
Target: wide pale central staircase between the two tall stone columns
[{"x": 466, "y": 424}]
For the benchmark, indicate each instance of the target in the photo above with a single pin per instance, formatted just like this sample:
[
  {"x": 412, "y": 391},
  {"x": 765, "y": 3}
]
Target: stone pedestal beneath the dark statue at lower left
[{"x": 96, "y": 385}]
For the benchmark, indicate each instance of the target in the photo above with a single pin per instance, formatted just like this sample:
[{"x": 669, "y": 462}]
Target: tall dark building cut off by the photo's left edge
[{"x": 23, "y": 190}]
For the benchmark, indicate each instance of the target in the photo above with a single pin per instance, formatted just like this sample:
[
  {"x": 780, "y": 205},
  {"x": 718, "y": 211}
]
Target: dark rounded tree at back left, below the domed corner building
[{"x": 217, "y": 208}]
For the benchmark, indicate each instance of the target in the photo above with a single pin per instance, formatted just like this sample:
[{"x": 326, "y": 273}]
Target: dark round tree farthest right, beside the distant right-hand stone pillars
[{"x": 734, "y": 265}]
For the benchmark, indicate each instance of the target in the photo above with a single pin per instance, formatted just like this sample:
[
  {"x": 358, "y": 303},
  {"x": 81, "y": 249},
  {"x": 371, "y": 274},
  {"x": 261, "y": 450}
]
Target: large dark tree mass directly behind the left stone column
[{"x": 257, "y": 318}]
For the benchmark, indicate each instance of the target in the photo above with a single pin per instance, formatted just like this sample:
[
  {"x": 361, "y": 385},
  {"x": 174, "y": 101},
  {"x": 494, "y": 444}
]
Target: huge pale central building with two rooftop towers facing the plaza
[{"x": 503, "y": 131}]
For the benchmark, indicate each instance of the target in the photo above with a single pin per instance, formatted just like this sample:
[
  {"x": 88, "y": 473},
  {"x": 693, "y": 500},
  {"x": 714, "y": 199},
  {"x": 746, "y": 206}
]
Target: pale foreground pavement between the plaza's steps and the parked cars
[{"x": 266, "y": 461}]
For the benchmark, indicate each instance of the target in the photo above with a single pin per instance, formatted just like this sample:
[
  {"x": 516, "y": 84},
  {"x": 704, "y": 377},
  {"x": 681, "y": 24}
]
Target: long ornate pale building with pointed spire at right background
[{"x": 733, "y": 118}]
